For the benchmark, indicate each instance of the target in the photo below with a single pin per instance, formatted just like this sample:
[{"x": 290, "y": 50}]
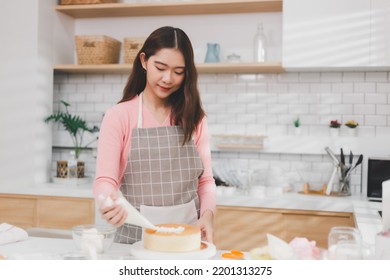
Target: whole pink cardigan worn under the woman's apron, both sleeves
[{"x": 115, "y": 142}]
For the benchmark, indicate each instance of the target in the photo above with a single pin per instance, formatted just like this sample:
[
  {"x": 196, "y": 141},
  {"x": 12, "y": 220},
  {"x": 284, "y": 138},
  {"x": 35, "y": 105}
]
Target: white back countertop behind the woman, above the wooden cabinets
[{"x": 366, "y": 213}]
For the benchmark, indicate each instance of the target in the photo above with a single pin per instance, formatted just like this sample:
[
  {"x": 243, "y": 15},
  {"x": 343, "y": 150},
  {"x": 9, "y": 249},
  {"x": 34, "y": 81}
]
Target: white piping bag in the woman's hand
[{"x": 134, "y": 217}]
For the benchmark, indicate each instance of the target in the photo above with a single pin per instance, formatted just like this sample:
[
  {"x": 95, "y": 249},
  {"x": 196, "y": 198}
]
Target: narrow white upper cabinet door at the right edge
[{"x": 380, "y": 33}]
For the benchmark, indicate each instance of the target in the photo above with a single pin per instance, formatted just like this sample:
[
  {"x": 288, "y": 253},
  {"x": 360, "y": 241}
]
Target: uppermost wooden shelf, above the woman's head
[{"x": 170, "y": 8}]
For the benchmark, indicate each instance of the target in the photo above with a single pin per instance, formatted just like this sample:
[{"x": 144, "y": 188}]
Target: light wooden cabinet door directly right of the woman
[{"x": 245, "y": 228}]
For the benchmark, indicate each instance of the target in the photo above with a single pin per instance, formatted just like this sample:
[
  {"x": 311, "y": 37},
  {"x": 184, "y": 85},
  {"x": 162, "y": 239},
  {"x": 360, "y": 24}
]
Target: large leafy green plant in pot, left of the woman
[{"x": 76, "y": 126}]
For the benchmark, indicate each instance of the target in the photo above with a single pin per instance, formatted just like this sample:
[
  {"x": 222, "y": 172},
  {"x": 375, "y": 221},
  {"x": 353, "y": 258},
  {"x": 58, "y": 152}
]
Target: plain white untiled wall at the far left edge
[{"x": 26, "y": 77}]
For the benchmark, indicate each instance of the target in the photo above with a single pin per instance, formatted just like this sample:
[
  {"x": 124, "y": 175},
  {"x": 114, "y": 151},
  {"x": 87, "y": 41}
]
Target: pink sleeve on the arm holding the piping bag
[{"x": 109, "y": 162}]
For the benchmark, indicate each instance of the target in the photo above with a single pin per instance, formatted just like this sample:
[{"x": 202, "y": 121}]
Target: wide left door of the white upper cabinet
[{"x": 323, "y": 34}]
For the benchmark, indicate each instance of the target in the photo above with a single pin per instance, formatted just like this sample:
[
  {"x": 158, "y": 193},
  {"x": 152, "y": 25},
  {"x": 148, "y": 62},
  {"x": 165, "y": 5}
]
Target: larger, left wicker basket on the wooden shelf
[{"x": 97, "y": 50}]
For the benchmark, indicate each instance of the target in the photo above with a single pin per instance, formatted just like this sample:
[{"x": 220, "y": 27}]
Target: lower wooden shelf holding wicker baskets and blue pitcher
[{"x": 239, "y": 68}]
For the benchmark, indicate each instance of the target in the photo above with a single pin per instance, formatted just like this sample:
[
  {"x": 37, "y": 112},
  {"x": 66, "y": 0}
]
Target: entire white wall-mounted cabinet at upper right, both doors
[{"x": 334, "y": 34}]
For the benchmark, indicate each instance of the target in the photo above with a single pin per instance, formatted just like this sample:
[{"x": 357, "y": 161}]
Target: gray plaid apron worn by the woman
[{"x": 161, "y": 178}]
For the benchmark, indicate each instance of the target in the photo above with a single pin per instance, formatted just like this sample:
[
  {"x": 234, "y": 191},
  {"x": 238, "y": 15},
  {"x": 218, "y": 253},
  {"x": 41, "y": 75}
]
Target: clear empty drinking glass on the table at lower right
[{"x": 345, "y": 243}]
